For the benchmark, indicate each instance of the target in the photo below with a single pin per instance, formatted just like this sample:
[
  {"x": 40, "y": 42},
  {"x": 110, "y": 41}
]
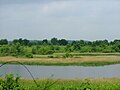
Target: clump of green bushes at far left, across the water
[{"x": 16, "y": 50}]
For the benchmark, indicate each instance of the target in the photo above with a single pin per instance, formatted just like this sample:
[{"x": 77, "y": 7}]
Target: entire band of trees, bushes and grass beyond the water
[{"x": 61, "y": 52}]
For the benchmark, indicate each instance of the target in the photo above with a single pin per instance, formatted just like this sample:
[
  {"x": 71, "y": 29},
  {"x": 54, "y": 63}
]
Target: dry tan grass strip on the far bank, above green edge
[{"x": 82, "y": 59}]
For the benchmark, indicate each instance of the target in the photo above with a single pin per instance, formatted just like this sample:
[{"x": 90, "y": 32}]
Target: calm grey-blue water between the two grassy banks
[{"x": 108, "y": 71}]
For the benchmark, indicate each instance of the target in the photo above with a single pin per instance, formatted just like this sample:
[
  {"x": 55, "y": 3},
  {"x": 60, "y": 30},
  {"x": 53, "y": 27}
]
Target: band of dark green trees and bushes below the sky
[{"x": 27, "y": 48}]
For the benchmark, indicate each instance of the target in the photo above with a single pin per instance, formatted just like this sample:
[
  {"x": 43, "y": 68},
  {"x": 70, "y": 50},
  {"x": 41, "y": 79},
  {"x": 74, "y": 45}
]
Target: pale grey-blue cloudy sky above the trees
[{"x": 69, "y": 19}]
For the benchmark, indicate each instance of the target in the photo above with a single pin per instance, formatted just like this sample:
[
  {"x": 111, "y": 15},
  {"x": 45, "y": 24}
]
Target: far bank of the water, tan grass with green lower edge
[{"x": 81, "y": 61}]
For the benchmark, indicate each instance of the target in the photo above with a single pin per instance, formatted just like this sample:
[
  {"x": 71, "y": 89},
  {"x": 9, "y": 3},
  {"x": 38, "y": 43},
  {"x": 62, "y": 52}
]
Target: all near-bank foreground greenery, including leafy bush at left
[{"x": 11, "y": 83}]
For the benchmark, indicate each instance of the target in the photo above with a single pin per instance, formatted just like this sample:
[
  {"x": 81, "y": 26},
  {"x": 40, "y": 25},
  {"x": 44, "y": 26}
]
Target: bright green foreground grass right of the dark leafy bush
[{"x": 71, "y": 84}]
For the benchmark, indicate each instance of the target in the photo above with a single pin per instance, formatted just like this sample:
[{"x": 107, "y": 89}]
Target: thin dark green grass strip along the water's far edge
[{"x": 67, "y": 64}]
